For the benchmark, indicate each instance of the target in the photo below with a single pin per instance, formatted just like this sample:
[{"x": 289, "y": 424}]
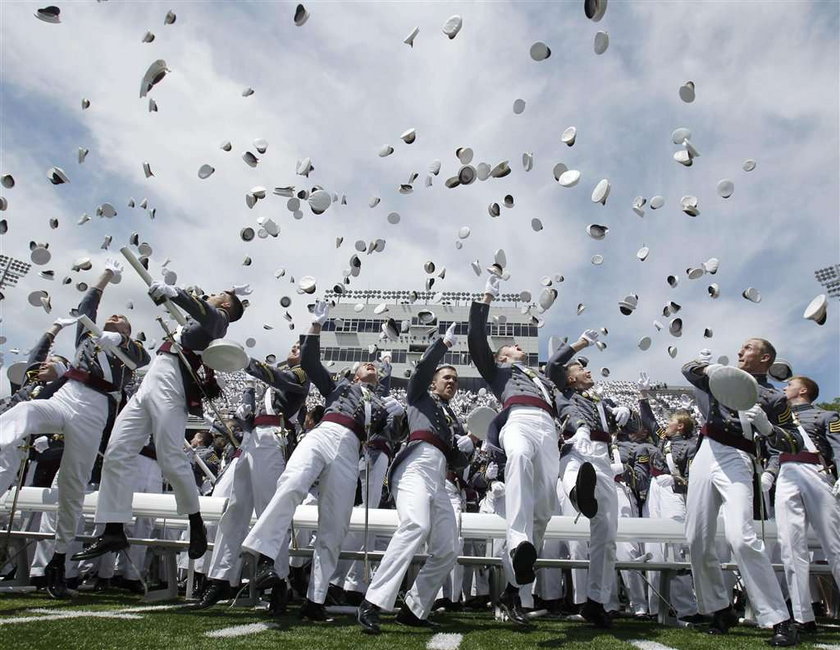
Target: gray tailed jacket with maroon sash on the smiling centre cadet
[{"x": 430, "y": 414}]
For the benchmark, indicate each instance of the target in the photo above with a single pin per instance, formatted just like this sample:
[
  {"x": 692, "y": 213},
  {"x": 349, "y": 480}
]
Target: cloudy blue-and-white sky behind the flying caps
[{"x": 344, "y": 85}]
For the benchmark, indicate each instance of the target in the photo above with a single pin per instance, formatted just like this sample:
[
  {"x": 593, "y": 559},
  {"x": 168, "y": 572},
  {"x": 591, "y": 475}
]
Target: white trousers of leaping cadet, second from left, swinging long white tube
[{"x": 158, "y": 407}]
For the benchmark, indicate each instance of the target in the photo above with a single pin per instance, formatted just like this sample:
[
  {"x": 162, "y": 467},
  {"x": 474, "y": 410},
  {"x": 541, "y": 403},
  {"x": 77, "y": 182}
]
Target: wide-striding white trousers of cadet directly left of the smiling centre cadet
[{"x": 329, "y": 454}]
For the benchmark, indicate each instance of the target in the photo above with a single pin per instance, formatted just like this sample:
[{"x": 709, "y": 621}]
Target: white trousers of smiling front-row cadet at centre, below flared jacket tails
[{"x": 425, "y": 515}]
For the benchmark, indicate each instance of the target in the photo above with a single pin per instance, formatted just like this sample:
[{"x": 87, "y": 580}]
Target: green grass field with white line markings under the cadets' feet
[{"x": 91, "y": 622}]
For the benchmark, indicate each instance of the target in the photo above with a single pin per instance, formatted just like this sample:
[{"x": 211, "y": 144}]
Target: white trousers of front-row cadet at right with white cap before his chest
[{"x": 723, "y": 476}]
